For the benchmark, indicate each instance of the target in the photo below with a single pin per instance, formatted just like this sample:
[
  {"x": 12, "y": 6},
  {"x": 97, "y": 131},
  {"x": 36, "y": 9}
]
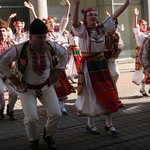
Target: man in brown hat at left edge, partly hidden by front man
[{"x": 6, "y": 43}]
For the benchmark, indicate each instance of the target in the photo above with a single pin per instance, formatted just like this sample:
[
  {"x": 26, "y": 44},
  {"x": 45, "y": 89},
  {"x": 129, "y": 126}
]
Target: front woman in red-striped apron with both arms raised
[{"x": 97, "y": 94}]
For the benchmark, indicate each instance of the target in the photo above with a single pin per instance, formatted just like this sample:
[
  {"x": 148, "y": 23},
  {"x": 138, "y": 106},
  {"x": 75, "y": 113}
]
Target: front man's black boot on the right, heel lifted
[{"x": 49, "y": 141}]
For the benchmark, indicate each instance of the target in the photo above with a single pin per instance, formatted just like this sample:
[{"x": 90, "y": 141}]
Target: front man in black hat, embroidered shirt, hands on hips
[{"x": 34, "y": 77}]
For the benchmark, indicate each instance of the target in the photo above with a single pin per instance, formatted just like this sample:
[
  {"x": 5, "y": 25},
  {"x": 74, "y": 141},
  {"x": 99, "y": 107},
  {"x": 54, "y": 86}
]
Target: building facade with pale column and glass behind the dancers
[{"x": 57, "y": 9}]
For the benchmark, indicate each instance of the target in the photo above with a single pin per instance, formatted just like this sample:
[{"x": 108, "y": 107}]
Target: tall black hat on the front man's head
[{"x": 38, "y": 27}]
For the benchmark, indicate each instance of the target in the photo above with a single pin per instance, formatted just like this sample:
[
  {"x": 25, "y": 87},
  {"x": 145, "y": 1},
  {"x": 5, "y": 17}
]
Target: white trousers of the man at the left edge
[{"x": 12, "y": 95}]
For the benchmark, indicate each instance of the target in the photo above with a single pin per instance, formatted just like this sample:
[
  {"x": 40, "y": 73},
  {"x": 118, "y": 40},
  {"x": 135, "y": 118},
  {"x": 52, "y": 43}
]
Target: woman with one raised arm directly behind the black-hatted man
[{"x": 63, "y": 86}]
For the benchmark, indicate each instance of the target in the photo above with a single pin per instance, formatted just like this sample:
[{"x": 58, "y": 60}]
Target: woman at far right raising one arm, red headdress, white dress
[{"x": 141, "y": 32}]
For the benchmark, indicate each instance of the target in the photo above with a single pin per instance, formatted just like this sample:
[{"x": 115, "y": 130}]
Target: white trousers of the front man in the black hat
[{"x": 29, "y": 104}]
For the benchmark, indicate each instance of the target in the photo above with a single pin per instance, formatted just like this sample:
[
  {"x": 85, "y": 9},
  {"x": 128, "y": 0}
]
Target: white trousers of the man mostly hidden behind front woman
[{"x": 113, "y": 69}]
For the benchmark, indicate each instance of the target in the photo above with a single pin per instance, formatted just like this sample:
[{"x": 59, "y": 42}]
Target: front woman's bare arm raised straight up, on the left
[{"x": 75, "y": 21}]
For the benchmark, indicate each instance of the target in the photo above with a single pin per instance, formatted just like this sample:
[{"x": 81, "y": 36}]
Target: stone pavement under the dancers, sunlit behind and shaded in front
[{"x": 133, "y": 123}]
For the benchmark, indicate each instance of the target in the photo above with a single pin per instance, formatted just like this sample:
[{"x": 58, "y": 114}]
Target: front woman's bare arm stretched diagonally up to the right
[{"x": 120, "y": 10}]
